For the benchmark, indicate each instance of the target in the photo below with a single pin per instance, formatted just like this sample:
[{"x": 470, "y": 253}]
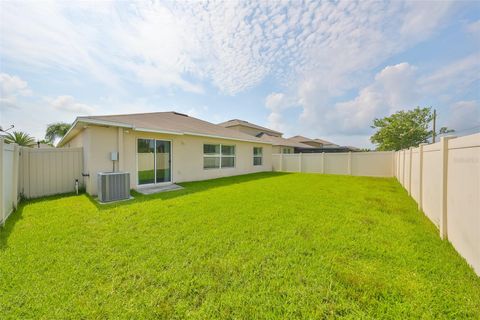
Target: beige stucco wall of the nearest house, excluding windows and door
[{"x": 187, "y": 155}]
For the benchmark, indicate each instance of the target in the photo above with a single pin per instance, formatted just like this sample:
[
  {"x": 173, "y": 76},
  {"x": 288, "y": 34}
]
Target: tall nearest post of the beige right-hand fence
[{"x": 443, "y": 183}]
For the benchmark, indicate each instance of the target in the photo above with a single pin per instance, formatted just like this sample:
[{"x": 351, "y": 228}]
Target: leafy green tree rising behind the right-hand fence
[{"x": 404, "y": 129}]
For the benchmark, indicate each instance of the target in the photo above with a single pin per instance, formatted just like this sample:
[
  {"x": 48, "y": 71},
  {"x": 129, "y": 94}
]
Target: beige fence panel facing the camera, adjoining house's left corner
[{"x": 46, "y": 172}]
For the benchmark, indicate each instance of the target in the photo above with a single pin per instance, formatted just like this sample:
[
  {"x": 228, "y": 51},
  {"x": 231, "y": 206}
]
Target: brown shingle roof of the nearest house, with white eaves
[{"x": 161, "y": 122}]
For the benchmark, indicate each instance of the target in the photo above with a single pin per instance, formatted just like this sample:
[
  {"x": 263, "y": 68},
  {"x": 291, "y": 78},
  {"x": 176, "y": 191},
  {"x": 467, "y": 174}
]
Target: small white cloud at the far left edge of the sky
[{"x": 12, "y": 87}]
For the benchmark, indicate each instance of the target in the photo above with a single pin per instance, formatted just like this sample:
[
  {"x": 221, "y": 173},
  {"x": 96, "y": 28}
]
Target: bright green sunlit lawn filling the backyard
[{"x": 266, "y": 245}]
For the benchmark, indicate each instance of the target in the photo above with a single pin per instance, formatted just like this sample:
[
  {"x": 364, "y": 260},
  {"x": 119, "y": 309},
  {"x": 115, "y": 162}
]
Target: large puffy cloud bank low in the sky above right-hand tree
[{"x": 396, "y": 87}]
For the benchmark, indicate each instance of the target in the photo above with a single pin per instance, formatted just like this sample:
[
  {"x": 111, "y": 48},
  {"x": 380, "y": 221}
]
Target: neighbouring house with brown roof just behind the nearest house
[{"x": 279, "y": 144}]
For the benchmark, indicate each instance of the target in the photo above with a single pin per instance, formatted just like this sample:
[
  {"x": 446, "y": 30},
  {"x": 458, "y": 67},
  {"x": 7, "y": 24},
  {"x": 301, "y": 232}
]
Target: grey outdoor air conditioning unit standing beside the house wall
[{"x": 113, "y": 186}]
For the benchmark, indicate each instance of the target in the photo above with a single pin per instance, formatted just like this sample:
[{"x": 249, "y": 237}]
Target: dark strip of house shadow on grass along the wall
[{"x": 189, "y": 188}]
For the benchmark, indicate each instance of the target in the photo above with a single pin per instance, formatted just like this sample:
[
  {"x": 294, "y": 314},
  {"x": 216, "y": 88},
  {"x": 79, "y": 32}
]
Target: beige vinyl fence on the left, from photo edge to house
[{"x": 30, "y": 173}]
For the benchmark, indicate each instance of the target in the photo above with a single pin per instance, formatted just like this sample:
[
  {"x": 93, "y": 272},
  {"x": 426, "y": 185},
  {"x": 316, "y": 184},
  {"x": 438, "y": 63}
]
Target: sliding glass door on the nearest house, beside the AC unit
[{"x": 153, "y": 161}]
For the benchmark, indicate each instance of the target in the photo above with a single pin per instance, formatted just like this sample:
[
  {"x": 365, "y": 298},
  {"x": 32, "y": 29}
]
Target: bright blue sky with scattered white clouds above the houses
[{"x": 320, "y": 69}]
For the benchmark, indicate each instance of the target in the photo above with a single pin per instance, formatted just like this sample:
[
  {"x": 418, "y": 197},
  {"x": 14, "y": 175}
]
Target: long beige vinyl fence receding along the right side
[{"x": 444, "y": 179}]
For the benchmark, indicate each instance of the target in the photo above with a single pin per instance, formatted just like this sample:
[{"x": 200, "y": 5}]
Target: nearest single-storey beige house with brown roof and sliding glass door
[{"x": 164, "y": 148}]
